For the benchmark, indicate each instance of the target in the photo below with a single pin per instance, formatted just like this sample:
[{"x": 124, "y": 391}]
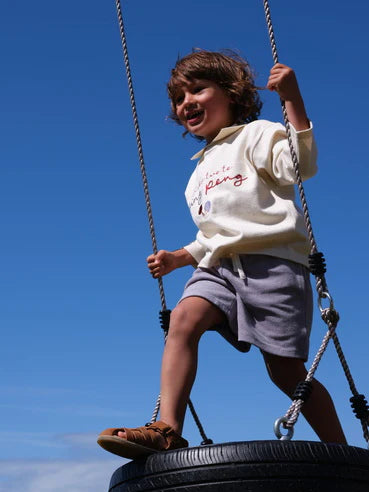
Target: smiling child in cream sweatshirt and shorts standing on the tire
[{"x": 251, "y": 283}]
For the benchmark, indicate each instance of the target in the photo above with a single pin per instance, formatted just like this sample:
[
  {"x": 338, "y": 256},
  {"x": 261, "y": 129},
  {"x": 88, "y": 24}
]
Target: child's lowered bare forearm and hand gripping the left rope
[{"x": 166, "y": 261}]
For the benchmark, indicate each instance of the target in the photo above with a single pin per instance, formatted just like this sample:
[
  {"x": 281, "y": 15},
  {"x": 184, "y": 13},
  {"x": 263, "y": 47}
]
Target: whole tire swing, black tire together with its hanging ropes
[{"x": 254, "y": 466}]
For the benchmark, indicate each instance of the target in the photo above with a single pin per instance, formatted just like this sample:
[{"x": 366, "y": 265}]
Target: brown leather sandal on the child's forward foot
[{"x": 141, "y": 441}]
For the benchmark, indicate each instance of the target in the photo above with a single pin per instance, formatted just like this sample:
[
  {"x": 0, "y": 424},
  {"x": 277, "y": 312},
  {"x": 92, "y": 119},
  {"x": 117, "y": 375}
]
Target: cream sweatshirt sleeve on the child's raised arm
[{"x": 271, "y": 153}]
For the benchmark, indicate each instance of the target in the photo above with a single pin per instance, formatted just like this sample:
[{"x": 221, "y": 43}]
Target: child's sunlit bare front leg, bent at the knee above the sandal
[{"x": 188, "y": 321}]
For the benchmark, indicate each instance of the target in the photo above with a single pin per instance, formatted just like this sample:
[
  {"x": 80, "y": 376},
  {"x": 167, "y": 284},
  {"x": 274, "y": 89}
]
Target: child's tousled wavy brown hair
[{"x": 227, "y": 69}]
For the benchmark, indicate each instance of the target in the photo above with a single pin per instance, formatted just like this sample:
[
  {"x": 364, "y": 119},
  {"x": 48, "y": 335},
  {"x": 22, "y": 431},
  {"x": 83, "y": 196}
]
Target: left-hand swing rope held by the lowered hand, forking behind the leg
[{"x": 164, "y": 314}]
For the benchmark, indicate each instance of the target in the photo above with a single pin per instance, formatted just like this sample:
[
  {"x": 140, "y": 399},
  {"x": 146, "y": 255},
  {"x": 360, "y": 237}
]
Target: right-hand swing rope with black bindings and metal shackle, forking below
[{"x": 329, "y": 315}]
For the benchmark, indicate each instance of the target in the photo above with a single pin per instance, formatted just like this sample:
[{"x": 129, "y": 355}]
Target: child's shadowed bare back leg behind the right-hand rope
[{"x": 319, "y": 409}]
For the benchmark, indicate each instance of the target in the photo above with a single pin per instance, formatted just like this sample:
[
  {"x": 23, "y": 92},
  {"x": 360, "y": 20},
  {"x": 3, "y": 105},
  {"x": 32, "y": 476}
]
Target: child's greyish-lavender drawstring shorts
[{"x": 271, "y": 308}]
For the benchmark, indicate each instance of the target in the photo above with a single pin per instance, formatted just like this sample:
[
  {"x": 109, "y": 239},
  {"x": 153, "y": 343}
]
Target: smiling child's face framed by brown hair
[{"x": 203, "y": 108}]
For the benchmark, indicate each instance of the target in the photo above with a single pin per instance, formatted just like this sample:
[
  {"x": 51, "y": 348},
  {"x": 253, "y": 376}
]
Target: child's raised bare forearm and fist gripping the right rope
[{"x": 283, "y": 80}]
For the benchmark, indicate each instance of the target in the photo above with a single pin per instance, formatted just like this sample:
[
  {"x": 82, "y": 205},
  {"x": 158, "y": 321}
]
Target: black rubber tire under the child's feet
[{"x": 254, "y": 466}]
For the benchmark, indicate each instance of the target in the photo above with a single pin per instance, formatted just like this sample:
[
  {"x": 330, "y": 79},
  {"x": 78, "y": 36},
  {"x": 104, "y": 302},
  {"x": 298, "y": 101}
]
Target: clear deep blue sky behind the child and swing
[{"x": 81, "y": 343}]
